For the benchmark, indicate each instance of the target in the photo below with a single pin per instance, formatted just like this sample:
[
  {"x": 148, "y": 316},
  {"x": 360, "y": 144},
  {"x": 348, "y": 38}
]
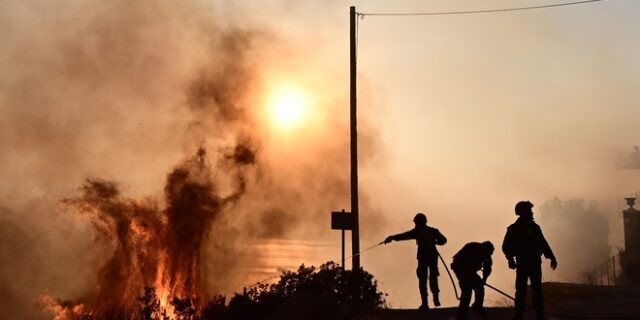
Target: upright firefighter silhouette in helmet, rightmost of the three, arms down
[{"x": 523, "y": 245}]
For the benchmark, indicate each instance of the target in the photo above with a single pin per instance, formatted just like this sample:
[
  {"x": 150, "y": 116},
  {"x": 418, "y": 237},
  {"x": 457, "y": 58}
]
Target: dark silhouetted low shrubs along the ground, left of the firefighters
[{"x": 327, "y": 292}]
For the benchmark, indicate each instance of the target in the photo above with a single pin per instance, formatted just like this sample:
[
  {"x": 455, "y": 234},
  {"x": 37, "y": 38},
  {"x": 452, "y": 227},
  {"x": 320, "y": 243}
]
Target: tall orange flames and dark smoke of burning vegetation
[{"x": 155, "y": 247}]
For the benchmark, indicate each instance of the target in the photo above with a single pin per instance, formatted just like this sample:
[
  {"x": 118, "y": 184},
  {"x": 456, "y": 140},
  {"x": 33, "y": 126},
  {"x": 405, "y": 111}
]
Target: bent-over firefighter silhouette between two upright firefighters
[{"x": 473, "y": 257}]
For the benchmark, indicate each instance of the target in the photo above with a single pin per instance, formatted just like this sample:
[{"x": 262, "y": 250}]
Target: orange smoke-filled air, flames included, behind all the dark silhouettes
[{"x": 194, "y": 148}]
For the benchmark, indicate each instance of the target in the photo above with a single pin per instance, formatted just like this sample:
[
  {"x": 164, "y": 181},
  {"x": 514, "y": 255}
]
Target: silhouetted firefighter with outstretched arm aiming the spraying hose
[{"x": 427, "y": 238}]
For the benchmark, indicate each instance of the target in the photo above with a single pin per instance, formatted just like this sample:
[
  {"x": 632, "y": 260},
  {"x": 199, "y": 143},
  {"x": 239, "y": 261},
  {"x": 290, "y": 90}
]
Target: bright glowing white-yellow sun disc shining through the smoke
[{"x": 288, "y": 106}]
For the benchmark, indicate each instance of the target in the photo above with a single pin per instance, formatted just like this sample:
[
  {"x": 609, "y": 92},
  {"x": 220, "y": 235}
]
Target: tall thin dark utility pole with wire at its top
[{"x": 355, "y": 233}]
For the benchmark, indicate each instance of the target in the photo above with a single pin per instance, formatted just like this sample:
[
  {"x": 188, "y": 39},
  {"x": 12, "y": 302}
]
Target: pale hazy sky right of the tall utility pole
[{"x": 477, "y": 112}]
